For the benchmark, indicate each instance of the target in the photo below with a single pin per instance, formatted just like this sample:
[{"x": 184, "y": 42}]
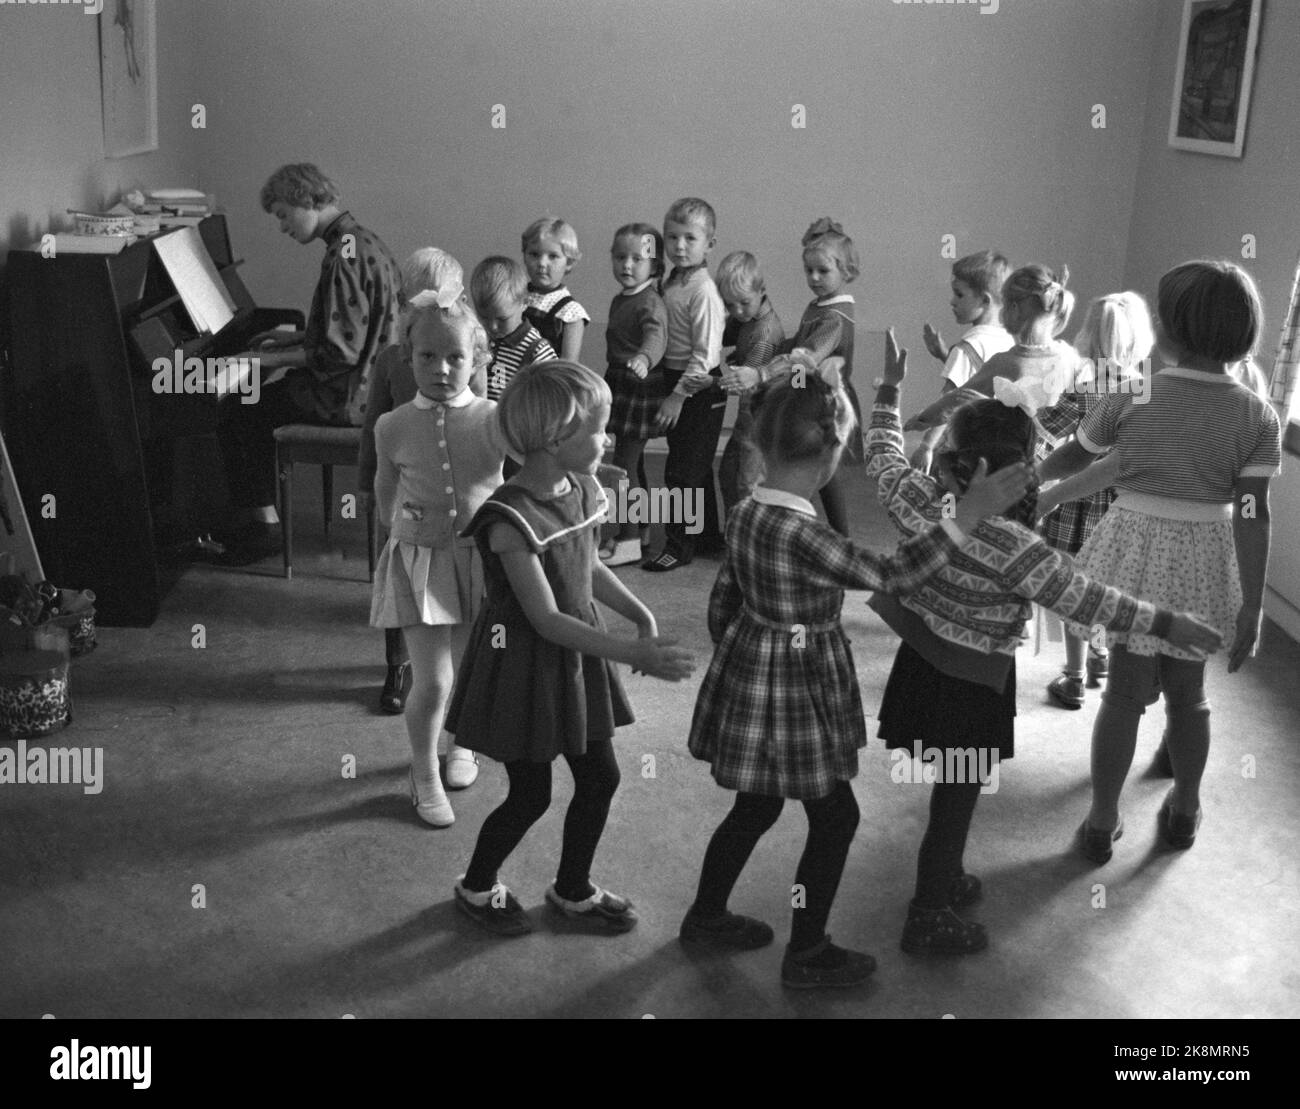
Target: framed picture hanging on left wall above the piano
[{"x": 128, "y": 57}]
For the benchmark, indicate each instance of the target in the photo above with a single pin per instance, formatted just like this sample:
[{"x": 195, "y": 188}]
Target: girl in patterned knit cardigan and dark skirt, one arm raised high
[{"x": 952, "y": 690}]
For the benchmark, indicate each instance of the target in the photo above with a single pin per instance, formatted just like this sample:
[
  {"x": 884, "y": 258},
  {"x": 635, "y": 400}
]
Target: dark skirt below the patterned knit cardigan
[{"x": 925, "y": 705}]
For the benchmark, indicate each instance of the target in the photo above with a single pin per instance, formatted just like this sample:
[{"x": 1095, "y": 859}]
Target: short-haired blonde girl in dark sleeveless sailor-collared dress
[{"x": 536, "y": 683}]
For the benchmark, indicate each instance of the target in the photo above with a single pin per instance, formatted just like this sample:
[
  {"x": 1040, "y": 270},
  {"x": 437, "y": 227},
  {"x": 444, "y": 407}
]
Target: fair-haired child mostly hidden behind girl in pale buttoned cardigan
[{"x": 392, "y": 385}]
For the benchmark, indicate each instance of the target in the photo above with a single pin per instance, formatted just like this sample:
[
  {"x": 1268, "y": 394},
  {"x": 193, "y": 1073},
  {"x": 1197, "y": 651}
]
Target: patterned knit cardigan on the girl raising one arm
[{"x": 969, "y": 620}]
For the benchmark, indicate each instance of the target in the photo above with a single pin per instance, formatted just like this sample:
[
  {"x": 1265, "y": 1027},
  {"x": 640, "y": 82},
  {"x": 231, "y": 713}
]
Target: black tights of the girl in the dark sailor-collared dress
[{"x": 596, "y": 778}]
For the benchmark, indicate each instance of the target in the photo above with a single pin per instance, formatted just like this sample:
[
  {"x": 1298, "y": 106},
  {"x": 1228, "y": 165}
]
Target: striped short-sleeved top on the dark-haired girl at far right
[{"x": 1190, "y": 437}]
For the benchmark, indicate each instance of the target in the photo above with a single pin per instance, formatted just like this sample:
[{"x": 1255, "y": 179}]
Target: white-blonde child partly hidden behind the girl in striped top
[{"x": 1116, "y": 337}]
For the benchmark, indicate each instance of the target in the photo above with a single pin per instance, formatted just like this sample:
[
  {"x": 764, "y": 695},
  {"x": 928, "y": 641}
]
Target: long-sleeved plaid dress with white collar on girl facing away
[{"x": 779, "y": 712}]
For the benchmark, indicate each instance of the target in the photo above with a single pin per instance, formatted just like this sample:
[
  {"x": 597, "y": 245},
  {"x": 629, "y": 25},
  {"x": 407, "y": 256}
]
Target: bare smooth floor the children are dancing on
[{"x": 326, "y": 895}]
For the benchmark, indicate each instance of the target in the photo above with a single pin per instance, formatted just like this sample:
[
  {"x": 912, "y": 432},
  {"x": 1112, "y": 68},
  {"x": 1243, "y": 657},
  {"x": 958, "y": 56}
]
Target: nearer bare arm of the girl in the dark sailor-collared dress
[{"x": 660, "y": 659}]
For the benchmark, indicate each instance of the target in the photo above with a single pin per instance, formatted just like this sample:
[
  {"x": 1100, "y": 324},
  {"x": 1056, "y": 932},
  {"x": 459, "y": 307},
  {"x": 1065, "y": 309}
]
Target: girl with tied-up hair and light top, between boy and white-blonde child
[{"x": 1037, "y": 307}]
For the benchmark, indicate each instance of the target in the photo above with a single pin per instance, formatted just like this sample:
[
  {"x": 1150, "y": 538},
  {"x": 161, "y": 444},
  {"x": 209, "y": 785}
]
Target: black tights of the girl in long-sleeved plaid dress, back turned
[{"x": 833, "y": 821}]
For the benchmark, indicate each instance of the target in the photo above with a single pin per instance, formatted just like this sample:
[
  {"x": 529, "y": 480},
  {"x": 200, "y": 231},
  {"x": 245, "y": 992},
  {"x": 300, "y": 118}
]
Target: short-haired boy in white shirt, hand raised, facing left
[{"x": 977, "y": 302}]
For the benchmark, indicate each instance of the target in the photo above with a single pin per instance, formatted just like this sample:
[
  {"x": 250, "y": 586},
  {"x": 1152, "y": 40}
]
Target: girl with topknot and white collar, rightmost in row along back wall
[{"x": 826, "y": 331}]
